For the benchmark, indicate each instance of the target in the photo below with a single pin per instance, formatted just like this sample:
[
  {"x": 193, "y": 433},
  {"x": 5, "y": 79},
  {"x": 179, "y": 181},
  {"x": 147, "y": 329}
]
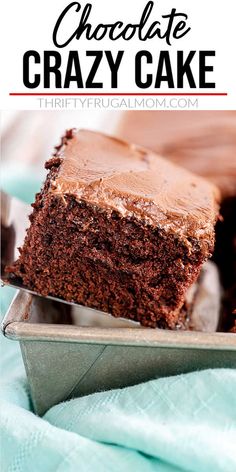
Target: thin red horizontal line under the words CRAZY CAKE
[{"x": 111, "y": 94}]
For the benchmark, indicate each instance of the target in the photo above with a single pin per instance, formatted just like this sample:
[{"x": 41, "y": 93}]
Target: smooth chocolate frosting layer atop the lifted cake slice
[{"x": 114, "y": 175}]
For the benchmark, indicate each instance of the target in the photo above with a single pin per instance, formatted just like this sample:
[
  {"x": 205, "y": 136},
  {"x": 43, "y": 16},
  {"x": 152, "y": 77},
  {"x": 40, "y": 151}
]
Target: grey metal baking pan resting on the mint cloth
[{"x": 68, "y": 360}]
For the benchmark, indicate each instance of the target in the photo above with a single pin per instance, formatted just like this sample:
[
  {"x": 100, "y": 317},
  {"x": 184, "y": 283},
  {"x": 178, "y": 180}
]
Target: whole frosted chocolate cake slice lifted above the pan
[{"x": 119, "y": 229}]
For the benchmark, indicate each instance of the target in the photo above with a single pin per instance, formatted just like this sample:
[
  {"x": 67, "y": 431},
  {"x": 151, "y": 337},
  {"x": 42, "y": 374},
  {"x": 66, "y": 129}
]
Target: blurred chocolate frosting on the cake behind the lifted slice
[{"x": 202, "y": 141}]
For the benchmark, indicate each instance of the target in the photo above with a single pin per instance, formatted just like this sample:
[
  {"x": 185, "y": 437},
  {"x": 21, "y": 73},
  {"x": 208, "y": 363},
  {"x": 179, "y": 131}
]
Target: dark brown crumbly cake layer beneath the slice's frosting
[{"x": 123, "y": 268}]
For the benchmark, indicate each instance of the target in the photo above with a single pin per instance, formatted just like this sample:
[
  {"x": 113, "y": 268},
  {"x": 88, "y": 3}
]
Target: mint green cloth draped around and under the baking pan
[{"x": 181, "y": 423}]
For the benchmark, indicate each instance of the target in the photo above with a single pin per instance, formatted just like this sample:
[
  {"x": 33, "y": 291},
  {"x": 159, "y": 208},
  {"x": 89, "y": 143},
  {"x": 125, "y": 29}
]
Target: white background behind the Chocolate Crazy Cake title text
[{"x": 28, "y": 24}]
